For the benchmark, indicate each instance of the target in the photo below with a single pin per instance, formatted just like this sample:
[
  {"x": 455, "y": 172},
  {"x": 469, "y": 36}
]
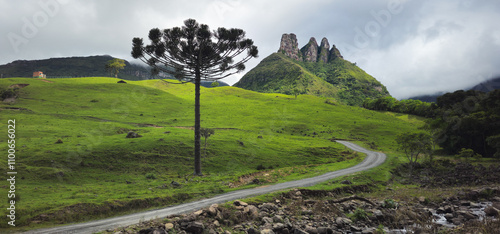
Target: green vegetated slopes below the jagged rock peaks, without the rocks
[{"x": 339, "y": 79}]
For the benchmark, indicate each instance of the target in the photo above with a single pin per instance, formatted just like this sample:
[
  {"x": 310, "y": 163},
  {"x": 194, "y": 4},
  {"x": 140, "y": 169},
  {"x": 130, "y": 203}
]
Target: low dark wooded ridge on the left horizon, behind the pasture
[{"x": 91, "y": 66}]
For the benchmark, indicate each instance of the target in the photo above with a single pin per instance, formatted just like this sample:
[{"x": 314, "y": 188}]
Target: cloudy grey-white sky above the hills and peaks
[{"x": 412, "y": 46}]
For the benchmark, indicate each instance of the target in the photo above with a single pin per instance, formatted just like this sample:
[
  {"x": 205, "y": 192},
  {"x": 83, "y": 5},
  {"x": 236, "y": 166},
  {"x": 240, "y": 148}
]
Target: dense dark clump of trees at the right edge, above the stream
[{"x": 470, "y": 120}]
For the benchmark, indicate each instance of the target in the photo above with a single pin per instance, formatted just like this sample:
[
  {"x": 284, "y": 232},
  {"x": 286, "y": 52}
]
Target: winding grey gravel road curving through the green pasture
[{"x": 372, "y": 160}]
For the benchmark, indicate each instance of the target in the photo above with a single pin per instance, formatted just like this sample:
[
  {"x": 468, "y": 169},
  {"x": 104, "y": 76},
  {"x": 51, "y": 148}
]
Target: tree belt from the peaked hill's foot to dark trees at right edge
[{"x": 459, "y": 120}]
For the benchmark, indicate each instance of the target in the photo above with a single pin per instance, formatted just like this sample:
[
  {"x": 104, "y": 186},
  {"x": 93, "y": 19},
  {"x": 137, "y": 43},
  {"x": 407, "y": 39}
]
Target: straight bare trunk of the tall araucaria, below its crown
[{"x": 197, "y": 125}]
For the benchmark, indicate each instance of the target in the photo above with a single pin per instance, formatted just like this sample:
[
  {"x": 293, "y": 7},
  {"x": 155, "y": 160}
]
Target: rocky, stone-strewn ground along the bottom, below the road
[{"x": 297, "y": 212}]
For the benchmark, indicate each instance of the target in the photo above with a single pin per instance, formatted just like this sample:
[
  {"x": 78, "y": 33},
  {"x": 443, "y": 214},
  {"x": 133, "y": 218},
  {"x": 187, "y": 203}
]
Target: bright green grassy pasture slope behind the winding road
[{"x": 96, "y": 172}]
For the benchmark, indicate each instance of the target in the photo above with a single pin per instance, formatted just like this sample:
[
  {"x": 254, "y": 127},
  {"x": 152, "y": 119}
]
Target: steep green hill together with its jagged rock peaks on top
[{"x": 315, "y": 70}]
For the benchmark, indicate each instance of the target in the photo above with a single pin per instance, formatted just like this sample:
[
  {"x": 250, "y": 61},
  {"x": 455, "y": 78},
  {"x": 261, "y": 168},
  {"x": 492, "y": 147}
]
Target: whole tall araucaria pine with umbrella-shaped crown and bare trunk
[{"x": 192, "y": 53}]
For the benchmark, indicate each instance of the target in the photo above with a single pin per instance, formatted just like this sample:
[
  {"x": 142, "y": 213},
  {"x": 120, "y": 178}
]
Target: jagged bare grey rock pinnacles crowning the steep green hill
[{"x": 311, "y": 52}]
